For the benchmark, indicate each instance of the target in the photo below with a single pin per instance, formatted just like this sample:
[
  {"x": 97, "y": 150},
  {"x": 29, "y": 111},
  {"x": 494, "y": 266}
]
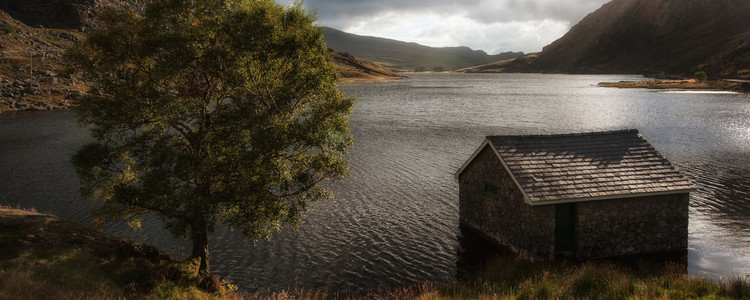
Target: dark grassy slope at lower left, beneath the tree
[{"x": 45, "y": 257}]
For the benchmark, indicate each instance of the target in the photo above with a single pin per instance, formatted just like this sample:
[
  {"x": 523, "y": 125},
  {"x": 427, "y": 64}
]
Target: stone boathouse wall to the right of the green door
[{"x": 632, "y": 226}]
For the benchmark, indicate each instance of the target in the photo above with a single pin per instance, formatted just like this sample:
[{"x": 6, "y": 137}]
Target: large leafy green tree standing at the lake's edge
[{"x": 208, "y": 111}]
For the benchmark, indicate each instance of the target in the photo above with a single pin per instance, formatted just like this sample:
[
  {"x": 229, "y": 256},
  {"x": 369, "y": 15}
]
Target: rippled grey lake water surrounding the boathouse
[{"x": 396, "y": 218}]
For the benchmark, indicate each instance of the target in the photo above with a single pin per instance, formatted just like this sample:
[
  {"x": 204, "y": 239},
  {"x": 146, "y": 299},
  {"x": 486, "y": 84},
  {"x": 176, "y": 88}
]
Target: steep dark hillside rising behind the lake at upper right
[{"x": 650, "y": 36}]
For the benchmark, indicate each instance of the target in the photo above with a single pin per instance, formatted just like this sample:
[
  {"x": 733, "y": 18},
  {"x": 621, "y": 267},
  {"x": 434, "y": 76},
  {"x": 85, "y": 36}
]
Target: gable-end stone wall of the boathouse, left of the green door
[{"x": 505, "y": 219}]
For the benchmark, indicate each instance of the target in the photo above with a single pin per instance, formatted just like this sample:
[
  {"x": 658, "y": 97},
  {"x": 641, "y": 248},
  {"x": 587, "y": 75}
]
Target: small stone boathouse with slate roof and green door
[{"x": 598, "y": 194}]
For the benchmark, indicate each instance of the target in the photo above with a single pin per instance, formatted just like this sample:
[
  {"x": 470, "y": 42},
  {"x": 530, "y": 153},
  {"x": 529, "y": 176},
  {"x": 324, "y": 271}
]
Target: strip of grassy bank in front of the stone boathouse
[{"x": 508, "y": 278}]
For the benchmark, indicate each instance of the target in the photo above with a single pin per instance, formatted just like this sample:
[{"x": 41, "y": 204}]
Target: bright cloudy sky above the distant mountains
[{"x": 494, "y": 26}]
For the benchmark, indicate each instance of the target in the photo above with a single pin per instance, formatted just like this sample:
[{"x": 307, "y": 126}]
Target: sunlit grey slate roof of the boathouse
[{"x": 598, "y": 165}]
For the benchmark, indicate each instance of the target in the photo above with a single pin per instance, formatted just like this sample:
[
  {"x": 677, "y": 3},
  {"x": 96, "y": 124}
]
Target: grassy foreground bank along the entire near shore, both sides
[{"x": 42, "y": 256}]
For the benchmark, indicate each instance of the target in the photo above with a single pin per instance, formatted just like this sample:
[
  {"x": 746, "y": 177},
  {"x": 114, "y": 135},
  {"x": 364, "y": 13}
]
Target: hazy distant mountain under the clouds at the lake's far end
[{"x": 409, "y": 56}]
